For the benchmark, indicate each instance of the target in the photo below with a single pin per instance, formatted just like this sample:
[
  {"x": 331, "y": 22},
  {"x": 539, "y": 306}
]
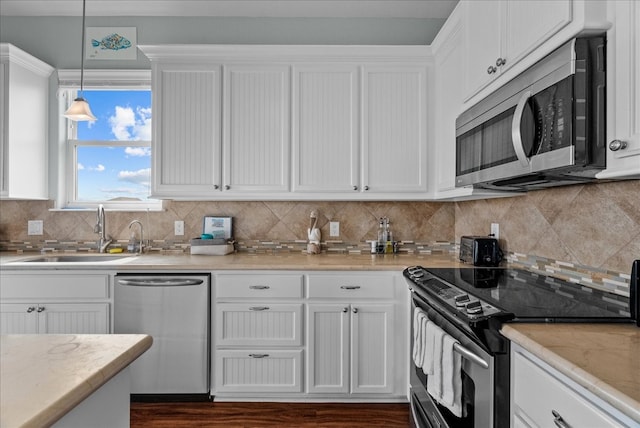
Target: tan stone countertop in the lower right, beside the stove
[{"x": 603, "y": 358}]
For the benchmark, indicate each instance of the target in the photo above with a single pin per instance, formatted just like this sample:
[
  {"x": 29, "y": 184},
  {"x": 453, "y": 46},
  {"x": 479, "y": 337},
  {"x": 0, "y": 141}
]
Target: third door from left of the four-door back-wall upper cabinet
[{"x": 325, "y": 129}]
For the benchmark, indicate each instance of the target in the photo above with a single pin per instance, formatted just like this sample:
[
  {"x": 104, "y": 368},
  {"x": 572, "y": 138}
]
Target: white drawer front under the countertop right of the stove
[{"x": 536, "y": 393}]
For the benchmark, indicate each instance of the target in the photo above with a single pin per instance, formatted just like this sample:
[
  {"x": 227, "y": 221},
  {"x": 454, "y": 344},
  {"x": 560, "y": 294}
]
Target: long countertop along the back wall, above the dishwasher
[{"x": 241, "y": 261}]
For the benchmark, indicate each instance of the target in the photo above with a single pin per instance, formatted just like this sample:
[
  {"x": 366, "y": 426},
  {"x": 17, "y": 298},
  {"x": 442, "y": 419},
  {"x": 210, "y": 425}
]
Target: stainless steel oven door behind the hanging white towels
[{"x": 477, "y": 380}]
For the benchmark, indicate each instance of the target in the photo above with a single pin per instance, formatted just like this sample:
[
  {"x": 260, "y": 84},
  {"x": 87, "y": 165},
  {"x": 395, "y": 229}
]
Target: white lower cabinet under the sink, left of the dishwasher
[{"x": 56, "y": 303}]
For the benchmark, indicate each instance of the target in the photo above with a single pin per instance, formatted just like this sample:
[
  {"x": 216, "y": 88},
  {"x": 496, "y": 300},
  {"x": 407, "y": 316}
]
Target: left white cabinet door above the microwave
[{"x": 482, "y": 42}]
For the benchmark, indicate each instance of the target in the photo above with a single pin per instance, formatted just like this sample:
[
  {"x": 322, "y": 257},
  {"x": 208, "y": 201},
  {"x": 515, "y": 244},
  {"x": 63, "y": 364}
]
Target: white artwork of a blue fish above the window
[{"x": 111, "y": 43}]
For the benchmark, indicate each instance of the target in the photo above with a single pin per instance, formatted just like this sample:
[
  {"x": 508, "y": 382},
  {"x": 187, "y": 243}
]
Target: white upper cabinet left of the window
[{"x": 24, "y": 102}]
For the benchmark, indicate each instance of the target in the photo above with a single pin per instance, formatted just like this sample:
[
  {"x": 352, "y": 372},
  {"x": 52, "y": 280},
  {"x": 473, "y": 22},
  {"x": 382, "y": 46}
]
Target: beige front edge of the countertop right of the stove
[{"x": 600, "y": 388}]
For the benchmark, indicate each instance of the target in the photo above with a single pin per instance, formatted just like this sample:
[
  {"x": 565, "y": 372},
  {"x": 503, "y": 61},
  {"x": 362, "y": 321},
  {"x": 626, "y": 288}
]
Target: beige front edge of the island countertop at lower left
[{"x": 68, "y": 401}]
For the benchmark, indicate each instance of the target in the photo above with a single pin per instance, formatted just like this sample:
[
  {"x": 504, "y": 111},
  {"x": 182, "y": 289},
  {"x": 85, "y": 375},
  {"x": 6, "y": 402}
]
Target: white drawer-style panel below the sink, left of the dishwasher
[{"x": 54, "y": 286}]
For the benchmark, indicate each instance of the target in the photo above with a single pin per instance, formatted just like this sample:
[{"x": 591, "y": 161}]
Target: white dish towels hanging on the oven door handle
[{"x": 443, "y": 367}]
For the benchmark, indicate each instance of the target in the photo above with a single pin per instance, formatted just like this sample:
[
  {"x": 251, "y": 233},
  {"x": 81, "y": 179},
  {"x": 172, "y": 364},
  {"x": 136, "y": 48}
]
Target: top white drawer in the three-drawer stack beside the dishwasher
[{"x": 259, "y": 286}]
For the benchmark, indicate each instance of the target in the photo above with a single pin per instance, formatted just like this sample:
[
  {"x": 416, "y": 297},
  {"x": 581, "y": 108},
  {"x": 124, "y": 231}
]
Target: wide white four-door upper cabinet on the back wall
[{"x": 289, "y": 122}]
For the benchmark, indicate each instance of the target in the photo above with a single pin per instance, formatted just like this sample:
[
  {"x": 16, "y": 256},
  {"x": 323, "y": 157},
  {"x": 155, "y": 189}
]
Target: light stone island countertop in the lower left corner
[{"x": 43, "y": 377}]
